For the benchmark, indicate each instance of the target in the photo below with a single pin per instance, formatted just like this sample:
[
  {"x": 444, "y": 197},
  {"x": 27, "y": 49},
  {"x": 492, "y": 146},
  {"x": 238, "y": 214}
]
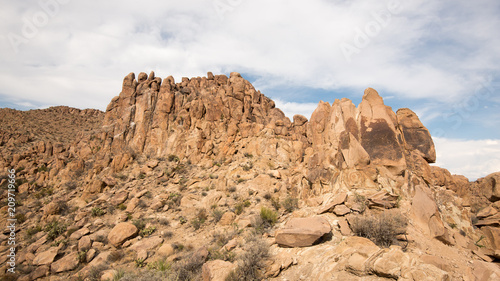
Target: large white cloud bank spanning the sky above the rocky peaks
[{"x": 420, "y": 52}]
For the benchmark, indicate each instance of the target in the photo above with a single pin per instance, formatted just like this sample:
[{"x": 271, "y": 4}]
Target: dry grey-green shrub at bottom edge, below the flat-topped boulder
[{"x": 251, "y": 262}]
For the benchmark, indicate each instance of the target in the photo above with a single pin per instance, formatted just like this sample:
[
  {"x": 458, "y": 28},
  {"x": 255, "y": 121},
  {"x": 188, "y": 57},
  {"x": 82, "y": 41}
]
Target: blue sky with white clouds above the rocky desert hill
[{"x": 439, "y": 58}]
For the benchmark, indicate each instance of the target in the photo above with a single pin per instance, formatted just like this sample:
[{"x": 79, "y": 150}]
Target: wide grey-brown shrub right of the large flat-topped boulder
[{"x": 382, "y": 228}]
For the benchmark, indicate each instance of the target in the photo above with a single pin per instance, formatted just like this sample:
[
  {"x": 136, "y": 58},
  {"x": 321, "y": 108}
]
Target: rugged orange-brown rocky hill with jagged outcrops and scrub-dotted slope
[{"x": 205, "y": 179}]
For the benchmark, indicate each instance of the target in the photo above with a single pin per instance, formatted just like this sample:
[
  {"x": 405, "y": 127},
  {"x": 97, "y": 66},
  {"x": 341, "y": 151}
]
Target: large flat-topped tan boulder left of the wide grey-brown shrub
[{"x": 302, "y": 232}]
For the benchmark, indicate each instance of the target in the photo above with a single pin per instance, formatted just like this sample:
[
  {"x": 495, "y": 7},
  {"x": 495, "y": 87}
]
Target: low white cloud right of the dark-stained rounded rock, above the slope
[{"x": 471, "y": 158}]
